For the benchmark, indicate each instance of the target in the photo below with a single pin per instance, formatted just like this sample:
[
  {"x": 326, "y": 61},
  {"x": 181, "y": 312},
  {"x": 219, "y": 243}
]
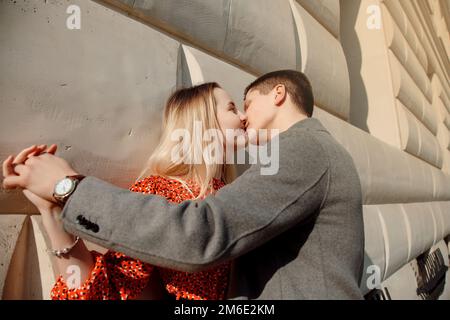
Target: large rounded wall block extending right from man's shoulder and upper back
[{"x": 387, "y": 174}]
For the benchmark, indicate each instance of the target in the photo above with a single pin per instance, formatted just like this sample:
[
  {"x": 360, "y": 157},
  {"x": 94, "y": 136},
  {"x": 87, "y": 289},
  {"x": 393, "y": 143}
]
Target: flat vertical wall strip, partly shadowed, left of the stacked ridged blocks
[{"x": 372, "y": 101}]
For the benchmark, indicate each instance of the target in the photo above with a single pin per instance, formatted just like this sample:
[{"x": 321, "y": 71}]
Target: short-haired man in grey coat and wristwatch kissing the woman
[{"x": 297, "y": 234}]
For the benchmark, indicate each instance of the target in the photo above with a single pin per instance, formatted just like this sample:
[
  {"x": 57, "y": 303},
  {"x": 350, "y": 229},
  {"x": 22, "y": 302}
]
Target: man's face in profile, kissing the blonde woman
[{"x": 259, "y": 109}]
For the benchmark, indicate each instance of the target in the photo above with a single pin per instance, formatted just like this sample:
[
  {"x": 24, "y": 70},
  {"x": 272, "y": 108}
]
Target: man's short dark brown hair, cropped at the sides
[{"x": 297, "y": 86}]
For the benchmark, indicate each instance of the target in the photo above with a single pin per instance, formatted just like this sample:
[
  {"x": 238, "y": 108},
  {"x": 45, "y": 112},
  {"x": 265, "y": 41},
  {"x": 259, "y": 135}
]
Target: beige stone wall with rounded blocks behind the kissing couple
[{"x": 383, "y": 92}]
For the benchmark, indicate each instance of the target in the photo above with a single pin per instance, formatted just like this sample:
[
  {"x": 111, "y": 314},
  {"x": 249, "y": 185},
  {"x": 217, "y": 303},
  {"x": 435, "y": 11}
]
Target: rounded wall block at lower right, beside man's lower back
[{"x": 407, "y": 230}]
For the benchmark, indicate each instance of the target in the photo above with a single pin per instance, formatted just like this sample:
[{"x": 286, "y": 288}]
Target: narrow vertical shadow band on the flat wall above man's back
[{"x": 350, "y": 10}]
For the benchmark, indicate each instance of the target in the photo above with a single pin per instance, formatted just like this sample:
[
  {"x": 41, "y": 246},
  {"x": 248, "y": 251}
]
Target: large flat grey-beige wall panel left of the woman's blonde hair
[{"x": 86, "y": 90}]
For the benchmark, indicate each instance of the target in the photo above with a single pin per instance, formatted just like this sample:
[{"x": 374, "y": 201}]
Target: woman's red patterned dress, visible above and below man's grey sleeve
[{"x": 116, "y": 276}]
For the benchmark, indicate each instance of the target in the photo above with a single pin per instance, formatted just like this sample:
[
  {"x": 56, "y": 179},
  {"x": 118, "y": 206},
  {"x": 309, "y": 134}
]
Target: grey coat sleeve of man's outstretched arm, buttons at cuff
[{"x": 196, "y": 235}]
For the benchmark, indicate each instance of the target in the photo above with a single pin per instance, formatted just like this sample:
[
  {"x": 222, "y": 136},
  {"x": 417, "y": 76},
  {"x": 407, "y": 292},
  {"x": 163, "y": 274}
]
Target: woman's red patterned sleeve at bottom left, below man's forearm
[{"x": 114, "y": 277}]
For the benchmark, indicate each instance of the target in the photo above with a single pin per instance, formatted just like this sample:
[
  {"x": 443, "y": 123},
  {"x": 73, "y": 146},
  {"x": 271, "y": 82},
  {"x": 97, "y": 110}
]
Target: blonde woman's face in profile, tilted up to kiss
[{"x": 232, "y": 122}]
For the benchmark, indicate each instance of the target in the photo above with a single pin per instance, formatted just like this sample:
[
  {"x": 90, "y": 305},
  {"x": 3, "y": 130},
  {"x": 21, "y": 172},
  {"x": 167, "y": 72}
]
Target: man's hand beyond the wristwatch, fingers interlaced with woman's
[{"x": 38, "y": 174}]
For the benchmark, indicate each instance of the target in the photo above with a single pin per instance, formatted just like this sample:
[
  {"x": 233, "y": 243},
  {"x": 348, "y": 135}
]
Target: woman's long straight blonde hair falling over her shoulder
[{"x": 183, "y": 108}]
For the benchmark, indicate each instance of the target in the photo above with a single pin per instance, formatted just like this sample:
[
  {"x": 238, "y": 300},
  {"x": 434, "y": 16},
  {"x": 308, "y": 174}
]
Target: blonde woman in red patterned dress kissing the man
[{"x": 179, "y": 169}]
